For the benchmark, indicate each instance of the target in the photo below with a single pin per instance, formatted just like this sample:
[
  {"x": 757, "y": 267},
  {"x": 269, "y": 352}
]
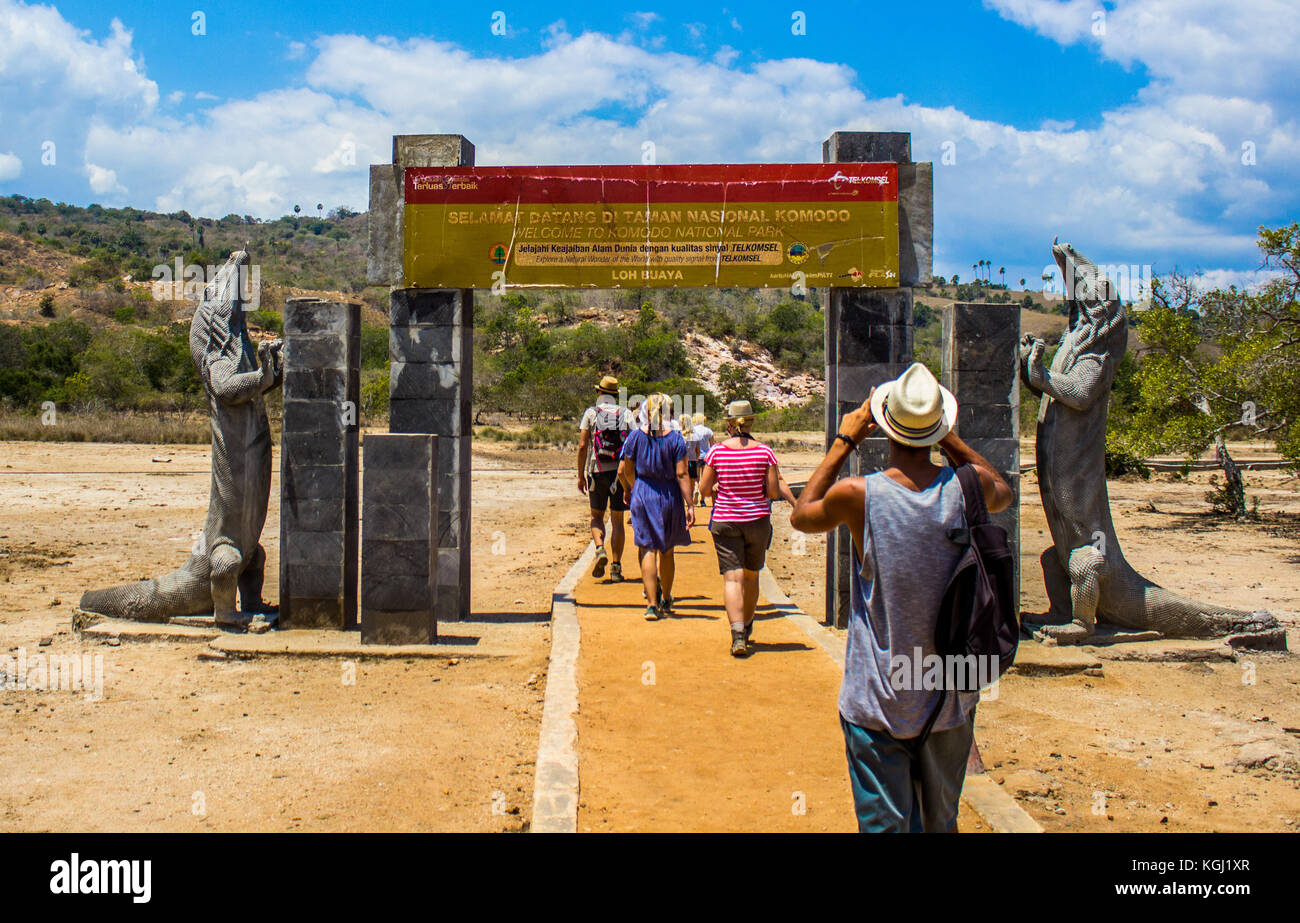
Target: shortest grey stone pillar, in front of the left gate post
[{"x": 400, "y": 549}]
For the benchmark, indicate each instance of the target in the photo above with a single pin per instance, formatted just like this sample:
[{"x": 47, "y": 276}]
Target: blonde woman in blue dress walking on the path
[{"x": 653, "y": 471}]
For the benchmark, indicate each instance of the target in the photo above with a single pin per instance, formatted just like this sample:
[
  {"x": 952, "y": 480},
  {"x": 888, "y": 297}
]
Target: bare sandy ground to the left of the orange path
[{"x": 177, "y": 744}]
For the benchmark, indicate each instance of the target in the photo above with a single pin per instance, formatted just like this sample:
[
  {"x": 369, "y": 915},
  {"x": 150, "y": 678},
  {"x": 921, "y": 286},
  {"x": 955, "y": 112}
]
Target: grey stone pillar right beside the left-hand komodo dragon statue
[{"x": 319, "y": 465}]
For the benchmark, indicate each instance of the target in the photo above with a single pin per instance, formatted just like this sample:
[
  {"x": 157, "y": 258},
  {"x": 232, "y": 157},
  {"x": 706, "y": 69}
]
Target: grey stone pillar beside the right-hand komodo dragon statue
[{"x": 981, "y": 369}]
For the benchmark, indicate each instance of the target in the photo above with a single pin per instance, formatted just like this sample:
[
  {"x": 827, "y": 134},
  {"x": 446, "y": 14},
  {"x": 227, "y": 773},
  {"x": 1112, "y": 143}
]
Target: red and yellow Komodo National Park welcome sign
[{"x": 717, "y": 226}]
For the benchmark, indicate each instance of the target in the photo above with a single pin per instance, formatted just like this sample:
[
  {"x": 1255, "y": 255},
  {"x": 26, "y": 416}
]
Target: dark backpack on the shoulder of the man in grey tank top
[{"x": 978, "y": 619}]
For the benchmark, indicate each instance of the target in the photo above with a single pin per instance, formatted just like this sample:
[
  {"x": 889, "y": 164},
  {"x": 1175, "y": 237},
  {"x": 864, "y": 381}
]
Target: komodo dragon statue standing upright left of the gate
[{"x": 227, "y": 556}]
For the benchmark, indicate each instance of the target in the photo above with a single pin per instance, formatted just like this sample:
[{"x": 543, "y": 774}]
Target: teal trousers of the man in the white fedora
[{"x": 887, "y": 799}]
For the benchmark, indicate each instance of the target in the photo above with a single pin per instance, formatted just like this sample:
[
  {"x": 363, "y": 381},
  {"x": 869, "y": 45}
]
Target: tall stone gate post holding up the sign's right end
[{"x": 869, "y": 331}]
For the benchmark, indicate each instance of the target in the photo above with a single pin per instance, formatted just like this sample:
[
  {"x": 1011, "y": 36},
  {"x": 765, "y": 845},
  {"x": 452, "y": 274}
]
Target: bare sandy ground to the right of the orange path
[{"x": 1146, "y": 747}]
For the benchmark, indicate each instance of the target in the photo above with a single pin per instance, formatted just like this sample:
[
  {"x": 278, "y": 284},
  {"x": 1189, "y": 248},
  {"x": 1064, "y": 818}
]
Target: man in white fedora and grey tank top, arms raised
[{"x": 900, "y": 521}]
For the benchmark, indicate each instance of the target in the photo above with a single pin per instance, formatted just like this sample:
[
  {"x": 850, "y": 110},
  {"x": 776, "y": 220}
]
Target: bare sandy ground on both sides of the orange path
[{"x": 180, "y": 744}]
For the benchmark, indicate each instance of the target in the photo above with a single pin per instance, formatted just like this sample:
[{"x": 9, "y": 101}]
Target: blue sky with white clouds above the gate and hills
[{"x": 1147, "y": 132}]
